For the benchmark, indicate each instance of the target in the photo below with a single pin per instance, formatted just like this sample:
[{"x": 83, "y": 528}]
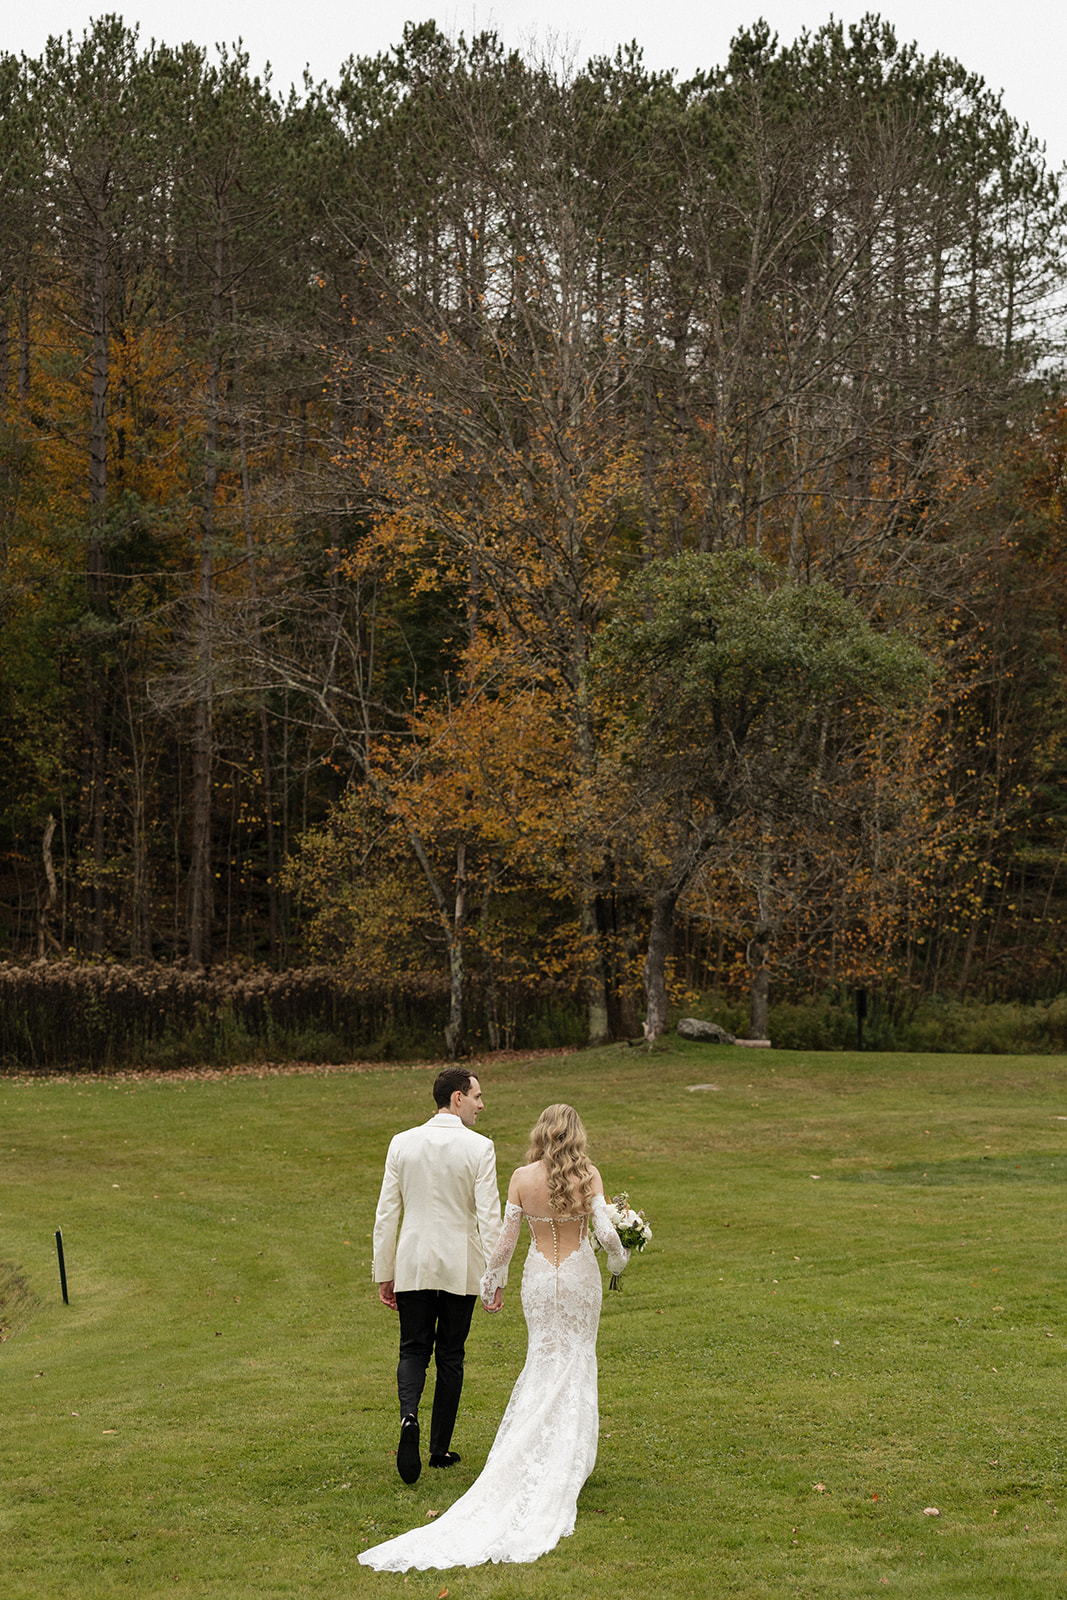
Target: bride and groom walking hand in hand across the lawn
[{"x": 454, "y": 1249}]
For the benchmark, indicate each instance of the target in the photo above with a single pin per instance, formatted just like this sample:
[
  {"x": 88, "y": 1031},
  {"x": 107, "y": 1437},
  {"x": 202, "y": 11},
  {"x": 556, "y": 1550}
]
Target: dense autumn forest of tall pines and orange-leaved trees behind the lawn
[{"x": 564, "y": 529}]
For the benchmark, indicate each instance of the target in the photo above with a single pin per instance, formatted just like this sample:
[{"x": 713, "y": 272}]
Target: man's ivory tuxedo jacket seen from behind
[{"x": 441, "y": 1178}]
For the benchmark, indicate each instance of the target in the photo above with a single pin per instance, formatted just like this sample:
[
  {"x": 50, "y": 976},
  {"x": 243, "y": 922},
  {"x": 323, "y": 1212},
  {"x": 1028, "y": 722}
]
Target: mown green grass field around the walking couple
[{"x": 852, "y": 1318}]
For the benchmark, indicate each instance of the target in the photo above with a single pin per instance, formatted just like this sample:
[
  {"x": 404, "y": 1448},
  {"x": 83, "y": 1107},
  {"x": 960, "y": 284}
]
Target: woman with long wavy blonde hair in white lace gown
[{"x": 527, "y": 1497}]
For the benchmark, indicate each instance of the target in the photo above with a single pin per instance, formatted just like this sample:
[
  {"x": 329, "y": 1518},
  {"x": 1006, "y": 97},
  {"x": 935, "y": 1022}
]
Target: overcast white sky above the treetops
[{"x": 1018, "y": 47}]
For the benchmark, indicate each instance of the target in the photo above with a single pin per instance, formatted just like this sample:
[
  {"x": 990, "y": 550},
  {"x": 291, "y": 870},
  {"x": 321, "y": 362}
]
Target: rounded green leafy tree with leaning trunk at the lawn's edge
[{"x": 729, "y": 690}]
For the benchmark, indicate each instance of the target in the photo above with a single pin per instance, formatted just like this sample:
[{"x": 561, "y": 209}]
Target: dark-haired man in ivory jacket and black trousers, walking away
[{"x": 442, "y": 1177}]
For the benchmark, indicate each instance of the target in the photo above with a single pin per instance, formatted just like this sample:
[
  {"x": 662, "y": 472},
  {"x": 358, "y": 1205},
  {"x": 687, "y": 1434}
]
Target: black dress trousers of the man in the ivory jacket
[{"x": 436, "y": 1324}]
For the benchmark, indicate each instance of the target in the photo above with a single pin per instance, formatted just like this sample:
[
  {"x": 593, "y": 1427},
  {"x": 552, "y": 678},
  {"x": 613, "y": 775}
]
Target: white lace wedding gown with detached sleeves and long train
[{"x": 526, "y": 1498}]
